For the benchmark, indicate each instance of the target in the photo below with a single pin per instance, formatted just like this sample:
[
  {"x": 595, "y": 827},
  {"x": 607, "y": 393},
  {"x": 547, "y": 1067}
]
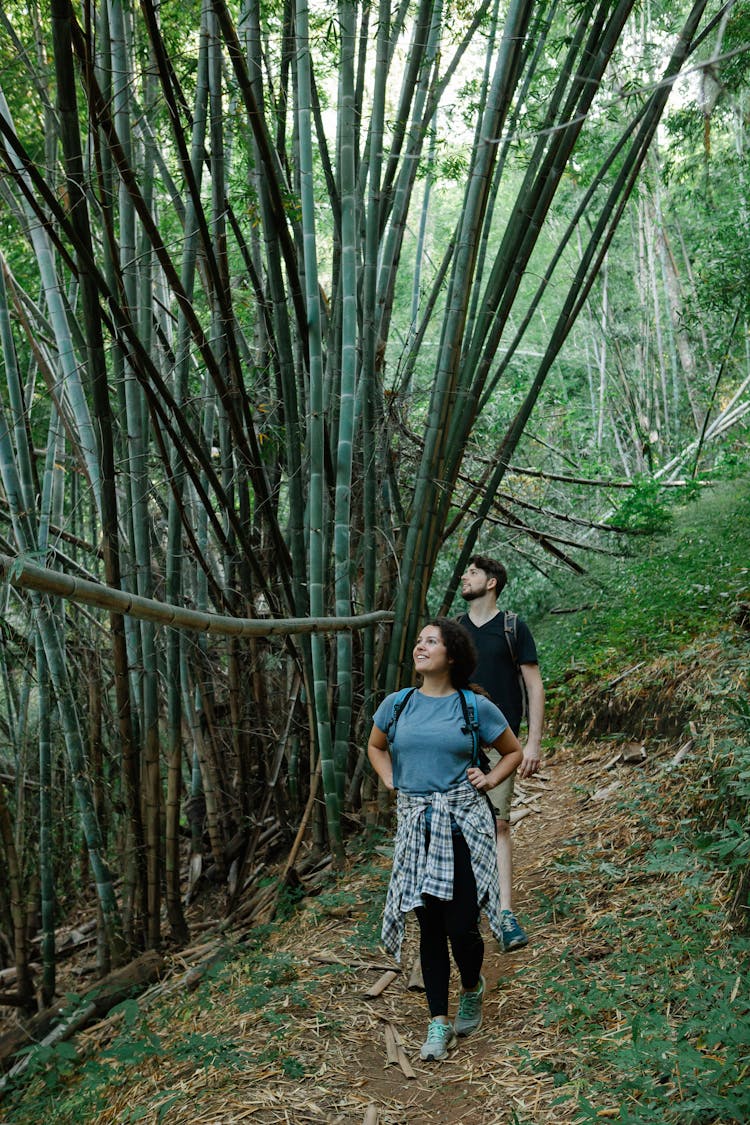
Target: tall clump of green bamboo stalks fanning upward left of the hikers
[{"x": 216, "y": 309}]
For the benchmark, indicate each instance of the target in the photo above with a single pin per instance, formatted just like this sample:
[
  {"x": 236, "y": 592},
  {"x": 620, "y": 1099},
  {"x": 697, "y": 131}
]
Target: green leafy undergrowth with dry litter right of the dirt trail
[{"x": 653, "y": 998}]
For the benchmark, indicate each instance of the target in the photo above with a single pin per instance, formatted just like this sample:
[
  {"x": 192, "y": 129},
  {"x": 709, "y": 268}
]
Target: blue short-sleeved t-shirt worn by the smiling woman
[{"x": 430, "y": 751}]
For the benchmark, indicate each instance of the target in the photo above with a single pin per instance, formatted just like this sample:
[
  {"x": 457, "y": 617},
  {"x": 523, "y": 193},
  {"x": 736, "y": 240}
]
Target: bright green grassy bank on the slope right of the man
[{"x": 671, "y": 590}]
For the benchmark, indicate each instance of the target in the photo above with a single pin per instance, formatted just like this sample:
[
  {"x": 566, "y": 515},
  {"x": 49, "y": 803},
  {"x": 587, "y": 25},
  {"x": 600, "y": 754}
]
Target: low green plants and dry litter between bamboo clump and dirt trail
[{"x": 251, "y": 985}]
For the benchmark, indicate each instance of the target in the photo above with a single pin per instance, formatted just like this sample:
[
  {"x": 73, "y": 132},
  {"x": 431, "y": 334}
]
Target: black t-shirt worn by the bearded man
[{"x": 495, "y": 671}]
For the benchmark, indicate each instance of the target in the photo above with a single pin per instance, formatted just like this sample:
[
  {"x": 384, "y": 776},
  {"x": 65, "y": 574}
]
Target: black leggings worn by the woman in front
[{"x": 456, "y": 921}]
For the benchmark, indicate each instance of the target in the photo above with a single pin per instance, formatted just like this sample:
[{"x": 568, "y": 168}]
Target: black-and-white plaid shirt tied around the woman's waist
[{"x": 419, "y": 871}]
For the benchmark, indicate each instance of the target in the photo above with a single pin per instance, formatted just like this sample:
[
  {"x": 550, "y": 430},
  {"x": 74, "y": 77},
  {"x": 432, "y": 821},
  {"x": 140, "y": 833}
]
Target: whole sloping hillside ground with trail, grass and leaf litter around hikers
[{"x": 630, "y": 1005}]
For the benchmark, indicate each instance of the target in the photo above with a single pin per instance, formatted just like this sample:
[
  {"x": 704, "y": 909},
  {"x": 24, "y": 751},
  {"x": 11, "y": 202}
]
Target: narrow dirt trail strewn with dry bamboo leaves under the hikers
[{"x": 481, "y": 1083}]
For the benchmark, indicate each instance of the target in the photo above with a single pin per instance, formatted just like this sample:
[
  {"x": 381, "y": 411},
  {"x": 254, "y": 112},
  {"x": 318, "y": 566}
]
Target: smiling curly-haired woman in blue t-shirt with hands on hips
[{"x": 445, "y": 859}]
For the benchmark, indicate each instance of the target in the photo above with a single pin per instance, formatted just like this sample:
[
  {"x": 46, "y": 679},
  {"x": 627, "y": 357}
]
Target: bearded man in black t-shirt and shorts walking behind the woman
[{"x": 496, "y": 672}]
